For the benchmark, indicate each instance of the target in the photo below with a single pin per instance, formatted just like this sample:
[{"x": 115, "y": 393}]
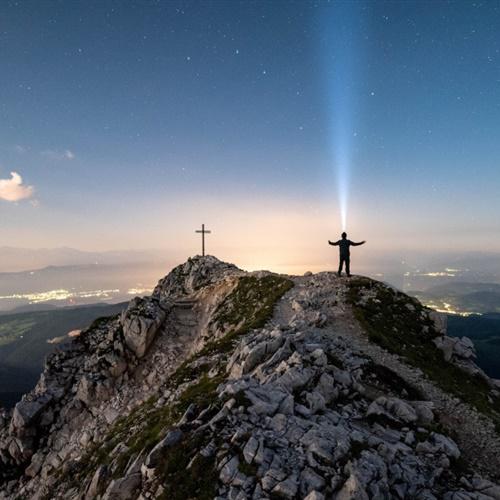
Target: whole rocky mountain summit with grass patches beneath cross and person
[{"x": 233, "y": 385}]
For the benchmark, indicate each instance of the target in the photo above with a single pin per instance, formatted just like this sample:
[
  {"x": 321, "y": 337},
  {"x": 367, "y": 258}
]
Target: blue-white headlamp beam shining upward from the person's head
[{"x": 342, "y": 49}]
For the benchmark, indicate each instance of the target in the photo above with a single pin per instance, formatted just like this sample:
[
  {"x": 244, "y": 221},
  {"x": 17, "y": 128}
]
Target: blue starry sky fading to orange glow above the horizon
[{"x": 125, "y": 125}]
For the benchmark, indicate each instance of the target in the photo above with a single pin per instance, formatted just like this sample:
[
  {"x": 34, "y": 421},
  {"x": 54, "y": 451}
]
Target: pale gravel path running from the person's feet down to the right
[{"x": 475, "y": 433}]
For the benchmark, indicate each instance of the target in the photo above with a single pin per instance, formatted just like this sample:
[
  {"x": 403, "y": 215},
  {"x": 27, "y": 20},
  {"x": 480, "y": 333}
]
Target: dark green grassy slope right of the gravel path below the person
[{"x": 402, "y": 325}]
